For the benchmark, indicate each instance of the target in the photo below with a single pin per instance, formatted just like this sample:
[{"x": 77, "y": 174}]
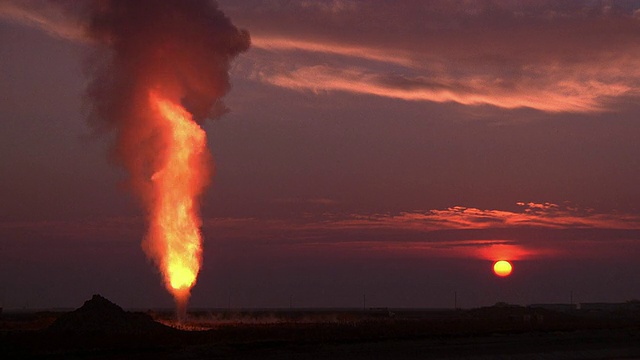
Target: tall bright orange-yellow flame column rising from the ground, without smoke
[{"x": 174, "y": 240}]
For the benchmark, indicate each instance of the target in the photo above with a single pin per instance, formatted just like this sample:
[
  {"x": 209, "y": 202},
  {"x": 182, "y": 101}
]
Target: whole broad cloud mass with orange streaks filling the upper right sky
[{"x": 577, "y": 57}]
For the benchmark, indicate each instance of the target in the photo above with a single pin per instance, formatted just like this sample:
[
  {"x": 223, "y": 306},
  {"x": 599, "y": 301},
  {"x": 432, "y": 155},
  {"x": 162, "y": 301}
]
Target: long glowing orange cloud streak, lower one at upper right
[{"x": 483, "y": 90}]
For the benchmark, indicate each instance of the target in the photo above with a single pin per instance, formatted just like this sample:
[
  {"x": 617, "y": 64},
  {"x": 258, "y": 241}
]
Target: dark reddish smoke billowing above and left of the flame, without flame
[{"x": 183, "y": 47}]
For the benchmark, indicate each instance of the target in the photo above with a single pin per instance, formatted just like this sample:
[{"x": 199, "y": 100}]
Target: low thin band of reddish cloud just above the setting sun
[{"x": 533, "y": 230}]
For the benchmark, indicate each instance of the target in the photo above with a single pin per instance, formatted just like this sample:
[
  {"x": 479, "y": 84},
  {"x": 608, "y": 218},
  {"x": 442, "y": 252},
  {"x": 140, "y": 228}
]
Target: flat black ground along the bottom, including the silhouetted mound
[{"x": 102, "y": 330}]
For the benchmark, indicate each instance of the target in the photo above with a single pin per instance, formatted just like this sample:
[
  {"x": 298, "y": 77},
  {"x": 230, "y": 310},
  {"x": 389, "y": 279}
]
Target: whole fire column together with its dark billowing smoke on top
[{"x": 160, "y": 69}]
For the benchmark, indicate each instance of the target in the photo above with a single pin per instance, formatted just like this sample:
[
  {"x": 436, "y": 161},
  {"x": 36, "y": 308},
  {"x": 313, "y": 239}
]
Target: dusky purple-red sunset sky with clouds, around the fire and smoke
[{"x": 388, "y": 148}]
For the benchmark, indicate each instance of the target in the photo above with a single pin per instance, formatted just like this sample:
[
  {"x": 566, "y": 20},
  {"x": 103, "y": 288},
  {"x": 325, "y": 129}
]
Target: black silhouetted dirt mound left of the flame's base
[{"x": 100, "y": 315}]
